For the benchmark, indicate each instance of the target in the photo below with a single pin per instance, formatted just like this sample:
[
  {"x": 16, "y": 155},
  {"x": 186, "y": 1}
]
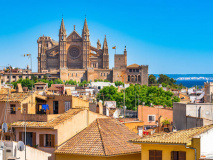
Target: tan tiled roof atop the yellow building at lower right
[{"x": 179, "y": 137}]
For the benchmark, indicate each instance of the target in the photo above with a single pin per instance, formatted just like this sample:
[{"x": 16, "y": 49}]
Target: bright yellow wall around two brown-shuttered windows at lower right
[{"x": 166, "y": 151}]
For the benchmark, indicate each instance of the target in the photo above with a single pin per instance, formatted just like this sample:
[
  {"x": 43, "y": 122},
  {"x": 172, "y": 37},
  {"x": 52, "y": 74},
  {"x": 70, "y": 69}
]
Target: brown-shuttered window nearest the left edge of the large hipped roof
[{"x": 46, "y": 140}]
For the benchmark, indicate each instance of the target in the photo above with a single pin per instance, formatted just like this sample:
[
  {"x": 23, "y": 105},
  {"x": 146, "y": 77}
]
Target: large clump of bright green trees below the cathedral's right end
[{"x": 136, "y": 94}]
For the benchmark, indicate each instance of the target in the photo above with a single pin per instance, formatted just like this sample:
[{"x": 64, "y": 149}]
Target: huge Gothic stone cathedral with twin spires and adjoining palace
[{"x": 74, "y": 58}]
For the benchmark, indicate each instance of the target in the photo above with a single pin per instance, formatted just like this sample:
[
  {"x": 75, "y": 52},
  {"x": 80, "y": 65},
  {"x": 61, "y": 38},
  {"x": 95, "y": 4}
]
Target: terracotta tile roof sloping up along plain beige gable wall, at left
[{"x": 50, "y": 124}]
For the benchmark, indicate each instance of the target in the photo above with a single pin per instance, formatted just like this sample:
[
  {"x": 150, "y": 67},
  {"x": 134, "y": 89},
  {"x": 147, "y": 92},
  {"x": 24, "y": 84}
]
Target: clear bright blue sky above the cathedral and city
[{"x": 171, "y": 36}]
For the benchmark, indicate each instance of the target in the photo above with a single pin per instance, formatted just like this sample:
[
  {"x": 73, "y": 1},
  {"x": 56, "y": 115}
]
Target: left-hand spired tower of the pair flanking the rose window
[{"x": 62, "y": 46}]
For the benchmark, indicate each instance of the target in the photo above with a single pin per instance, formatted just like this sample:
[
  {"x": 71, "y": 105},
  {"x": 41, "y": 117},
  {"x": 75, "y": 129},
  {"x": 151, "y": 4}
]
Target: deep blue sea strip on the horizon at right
[{"x": 190, "y": 80}]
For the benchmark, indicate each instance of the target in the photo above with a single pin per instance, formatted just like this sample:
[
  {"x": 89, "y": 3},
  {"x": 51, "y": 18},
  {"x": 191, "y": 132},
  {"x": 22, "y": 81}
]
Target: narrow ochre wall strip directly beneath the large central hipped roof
[{"x": 136, "y": 156}]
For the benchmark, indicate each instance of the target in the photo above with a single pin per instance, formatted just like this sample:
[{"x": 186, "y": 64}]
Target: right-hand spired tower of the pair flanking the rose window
[{"x": 86, "y": 45}]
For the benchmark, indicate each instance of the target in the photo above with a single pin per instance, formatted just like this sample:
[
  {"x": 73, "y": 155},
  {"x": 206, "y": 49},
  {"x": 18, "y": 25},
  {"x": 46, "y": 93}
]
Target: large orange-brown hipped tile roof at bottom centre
[{"x": 103, "y": 137}]
